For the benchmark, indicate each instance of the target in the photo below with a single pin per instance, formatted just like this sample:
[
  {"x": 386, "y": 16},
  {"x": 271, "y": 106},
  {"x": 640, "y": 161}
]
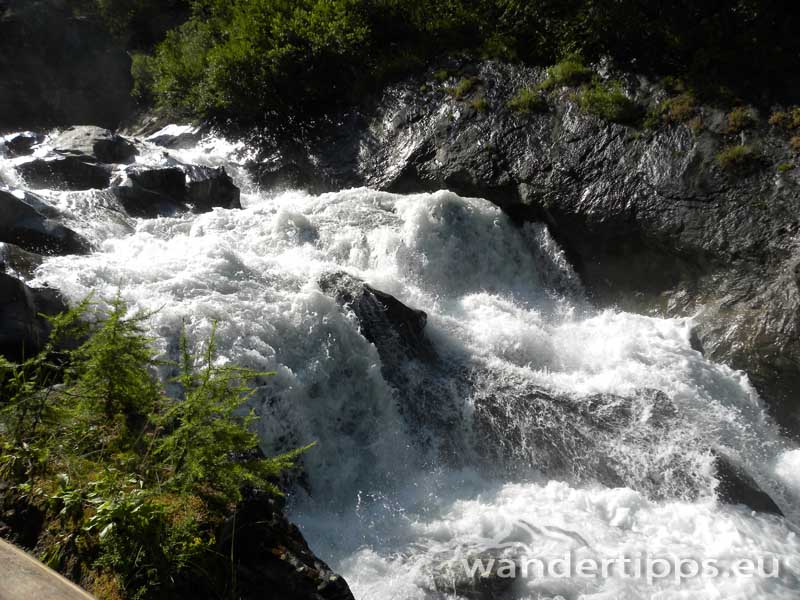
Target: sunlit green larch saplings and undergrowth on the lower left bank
[{"x": 132, "y": 483}]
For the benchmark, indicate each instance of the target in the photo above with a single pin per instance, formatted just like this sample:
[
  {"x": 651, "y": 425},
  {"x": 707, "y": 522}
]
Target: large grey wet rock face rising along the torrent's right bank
[{"x": 650, "y": 218}]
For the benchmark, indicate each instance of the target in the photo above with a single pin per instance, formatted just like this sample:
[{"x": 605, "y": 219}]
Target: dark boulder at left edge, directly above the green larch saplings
[{"x": 23, "y": 331}]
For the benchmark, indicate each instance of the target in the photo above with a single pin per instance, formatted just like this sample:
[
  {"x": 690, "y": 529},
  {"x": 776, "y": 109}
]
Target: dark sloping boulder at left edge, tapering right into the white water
[{"x": 26, "y": 221}]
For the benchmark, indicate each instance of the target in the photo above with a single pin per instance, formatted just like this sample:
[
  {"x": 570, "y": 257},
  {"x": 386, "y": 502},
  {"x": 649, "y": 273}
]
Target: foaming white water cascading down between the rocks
[{"x": 392, "y": 501}]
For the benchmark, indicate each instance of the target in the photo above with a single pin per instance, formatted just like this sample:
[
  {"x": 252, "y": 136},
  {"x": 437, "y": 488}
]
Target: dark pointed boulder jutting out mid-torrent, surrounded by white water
[{"x": 385, "y": 321}]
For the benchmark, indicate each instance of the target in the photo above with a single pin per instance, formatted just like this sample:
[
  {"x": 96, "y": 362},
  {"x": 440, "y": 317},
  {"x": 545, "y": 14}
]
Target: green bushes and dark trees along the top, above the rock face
[{"x": 256, "y": 60}]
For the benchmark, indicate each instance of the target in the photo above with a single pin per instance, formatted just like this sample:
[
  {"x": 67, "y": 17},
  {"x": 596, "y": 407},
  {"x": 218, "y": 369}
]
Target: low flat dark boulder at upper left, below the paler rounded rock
[{"x": 65, "y": 172}]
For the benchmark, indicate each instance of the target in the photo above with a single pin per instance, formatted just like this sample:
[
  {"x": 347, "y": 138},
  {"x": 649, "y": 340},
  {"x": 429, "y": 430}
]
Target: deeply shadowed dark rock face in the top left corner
[{"x": 58, "y": 69}]
